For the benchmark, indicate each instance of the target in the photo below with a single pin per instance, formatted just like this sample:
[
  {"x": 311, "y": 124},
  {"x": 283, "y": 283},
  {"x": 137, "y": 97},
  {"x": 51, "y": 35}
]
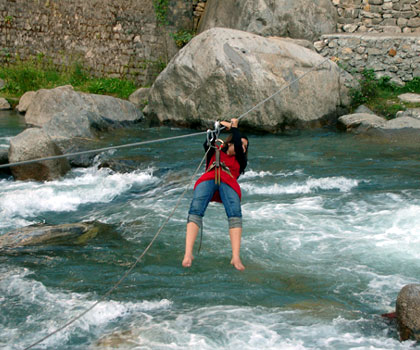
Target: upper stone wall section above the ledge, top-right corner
[{"x": 380, "y": 16}]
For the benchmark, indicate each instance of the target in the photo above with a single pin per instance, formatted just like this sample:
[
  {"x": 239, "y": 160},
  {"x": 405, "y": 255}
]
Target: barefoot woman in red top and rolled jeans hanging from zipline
[{"x": 219, "y": 183}]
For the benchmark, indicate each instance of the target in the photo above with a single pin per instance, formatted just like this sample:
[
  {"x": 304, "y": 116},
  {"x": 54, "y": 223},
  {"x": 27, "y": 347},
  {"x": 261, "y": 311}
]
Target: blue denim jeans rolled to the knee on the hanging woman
[{"x": 204, "y": 192}]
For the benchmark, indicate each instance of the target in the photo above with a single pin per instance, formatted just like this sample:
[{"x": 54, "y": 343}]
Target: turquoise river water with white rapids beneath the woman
[{"x": 331, "y": 235}]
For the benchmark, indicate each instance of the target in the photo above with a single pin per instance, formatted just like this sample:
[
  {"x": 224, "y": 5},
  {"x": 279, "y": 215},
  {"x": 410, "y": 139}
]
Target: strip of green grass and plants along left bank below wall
[{"x": 38, "y": 73}]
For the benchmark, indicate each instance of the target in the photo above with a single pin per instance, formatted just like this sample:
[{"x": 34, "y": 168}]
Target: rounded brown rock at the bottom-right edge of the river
[{"x": 408, "y": 312}]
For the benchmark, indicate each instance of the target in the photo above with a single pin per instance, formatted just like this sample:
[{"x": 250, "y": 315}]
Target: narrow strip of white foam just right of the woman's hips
[{"x": 310, "y": 185}]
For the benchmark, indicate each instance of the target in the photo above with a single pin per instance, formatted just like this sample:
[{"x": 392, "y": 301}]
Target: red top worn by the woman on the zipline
[{"x": 234, "y": 167}]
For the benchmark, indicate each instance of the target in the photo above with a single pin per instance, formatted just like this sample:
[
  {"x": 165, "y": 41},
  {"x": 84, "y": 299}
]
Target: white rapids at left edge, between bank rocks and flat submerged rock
[{"x": 22, "y": 200}]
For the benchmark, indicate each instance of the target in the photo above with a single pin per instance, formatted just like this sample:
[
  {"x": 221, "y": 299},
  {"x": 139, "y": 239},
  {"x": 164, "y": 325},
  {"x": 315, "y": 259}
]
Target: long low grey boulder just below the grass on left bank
[{"x": 47, "y": 103}]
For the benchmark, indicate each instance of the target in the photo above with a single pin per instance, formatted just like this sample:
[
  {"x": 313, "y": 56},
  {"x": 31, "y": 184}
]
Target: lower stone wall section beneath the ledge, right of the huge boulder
[{"x": 393, "y": 55}]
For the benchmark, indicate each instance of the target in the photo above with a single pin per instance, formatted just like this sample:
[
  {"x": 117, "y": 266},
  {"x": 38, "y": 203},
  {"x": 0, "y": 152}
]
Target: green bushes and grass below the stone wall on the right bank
[{"x": 381, "y": 96}]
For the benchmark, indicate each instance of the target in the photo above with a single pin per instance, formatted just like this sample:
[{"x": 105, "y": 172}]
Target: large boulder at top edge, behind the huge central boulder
[{"x": 300, "y": 19}]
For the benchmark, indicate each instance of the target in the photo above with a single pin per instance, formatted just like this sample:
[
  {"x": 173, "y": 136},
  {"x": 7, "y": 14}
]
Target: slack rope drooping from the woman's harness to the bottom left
[{"x": 128, "y": 271}]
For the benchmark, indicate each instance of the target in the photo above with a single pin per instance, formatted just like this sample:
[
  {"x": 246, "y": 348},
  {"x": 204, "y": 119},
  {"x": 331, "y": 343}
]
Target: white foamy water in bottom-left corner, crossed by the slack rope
[{"x": 56, "y": 307}]
